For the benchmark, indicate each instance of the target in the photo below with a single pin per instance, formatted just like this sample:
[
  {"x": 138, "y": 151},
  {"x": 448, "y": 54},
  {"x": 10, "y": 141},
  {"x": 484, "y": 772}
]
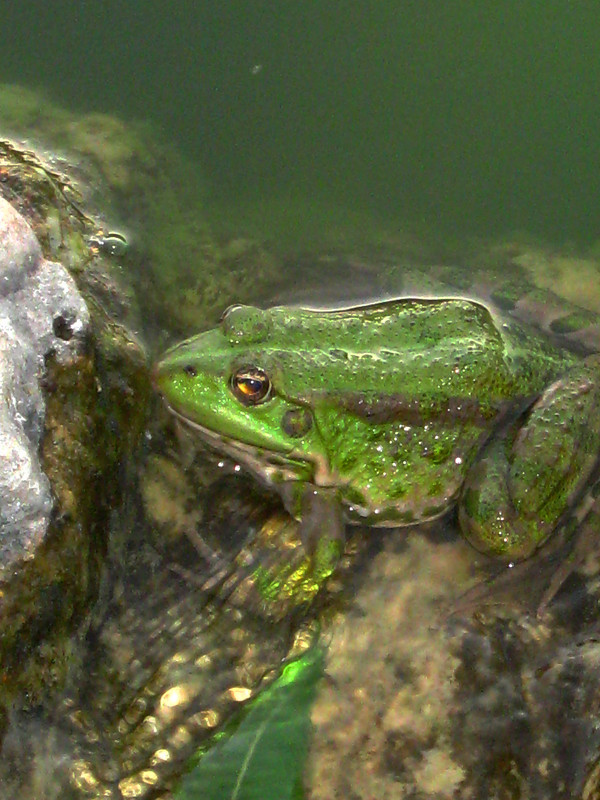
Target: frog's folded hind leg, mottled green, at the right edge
[{"x": 525, "y": 481}]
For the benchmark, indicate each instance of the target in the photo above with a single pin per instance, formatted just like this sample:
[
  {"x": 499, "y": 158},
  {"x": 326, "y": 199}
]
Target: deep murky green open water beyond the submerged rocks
[{"x": 468, "y": 115}]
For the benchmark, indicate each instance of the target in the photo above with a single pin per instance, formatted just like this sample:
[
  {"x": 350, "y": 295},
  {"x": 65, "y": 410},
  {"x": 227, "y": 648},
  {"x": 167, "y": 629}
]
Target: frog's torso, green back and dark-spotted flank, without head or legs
[{"x": 404, "y": 393}]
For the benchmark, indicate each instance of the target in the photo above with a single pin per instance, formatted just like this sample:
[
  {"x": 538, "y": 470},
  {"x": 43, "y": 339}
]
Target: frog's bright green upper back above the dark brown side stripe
[{"x": 423, "y": 349}]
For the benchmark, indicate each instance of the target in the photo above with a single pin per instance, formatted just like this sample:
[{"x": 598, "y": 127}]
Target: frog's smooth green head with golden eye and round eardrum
[{"x": 231, "y": 384}]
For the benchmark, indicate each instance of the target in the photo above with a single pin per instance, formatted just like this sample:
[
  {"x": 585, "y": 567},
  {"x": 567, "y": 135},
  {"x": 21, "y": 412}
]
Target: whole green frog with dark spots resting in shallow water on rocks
[{"x": 389, "y": 414}]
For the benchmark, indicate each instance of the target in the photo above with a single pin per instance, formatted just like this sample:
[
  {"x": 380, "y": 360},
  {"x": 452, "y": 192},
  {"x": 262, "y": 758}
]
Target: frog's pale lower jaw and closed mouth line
[{"x": 273, "y": 467}]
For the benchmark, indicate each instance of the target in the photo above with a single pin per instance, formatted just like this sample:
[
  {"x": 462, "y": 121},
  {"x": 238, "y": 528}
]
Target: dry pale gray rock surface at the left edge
[{"x": 41, "y": 314}]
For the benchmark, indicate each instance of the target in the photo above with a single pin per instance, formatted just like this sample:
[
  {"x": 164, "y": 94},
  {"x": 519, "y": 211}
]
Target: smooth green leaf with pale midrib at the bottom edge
[{"x": 263, "y": 759}]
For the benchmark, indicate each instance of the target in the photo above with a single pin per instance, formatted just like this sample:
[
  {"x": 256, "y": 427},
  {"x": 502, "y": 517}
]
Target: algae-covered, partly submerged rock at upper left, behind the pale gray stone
[{"x": 126, "y": 177}]
